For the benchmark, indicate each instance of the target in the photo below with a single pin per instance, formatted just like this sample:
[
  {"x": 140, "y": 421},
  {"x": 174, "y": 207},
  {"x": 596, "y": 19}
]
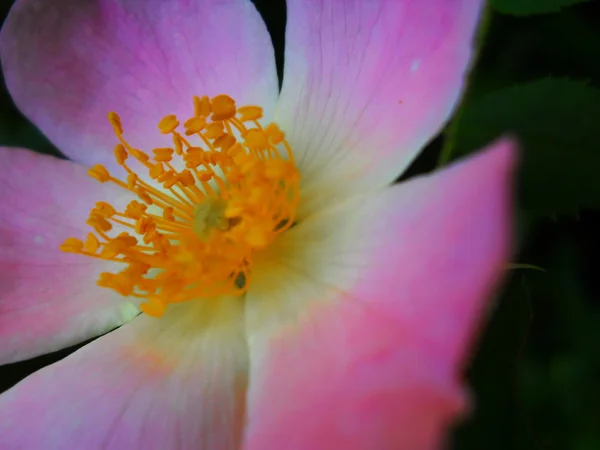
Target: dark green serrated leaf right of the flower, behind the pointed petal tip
[{"x": 556, "y": 122}]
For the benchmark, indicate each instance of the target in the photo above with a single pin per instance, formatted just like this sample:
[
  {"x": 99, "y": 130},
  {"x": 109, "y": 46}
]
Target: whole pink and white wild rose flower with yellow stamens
[{"x": 353, "y": 324}]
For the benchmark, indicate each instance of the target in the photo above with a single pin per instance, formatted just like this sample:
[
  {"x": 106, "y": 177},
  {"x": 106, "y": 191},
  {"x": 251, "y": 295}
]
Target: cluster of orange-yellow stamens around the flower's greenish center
[{"x": 203, "y": 208}]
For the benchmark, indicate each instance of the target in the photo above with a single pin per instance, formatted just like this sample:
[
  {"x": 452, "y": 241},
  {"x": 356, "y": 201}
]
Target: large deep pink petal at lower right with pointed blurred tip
[{"x": 383, "y": 296}]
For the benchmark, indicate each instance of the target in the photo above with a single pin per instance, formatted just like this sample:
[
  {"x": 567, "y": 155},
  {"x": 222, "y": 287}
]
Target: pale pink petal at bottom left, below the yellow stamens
[{"x": 177, "y": 382}]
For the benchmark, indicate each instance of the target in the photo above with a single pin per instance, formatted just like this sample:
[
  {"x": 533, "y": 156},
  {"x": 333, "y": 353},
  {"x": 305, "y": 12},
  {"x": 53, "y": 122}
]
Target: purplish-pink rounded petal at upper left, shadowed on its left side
[{"x": 67, "y": 64}]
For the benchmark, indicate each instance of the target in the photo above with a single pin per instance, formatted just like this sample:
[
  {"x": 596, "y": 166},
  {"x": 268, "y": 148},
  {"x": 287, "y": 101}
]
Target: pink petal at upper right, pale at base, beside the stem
[{"x": 367, "y": 83}]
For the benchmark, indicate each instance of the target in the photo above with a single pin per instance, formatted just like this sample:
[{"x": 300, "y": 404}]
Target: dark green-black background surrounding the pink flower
[{"x": 536, "y": 372}]
